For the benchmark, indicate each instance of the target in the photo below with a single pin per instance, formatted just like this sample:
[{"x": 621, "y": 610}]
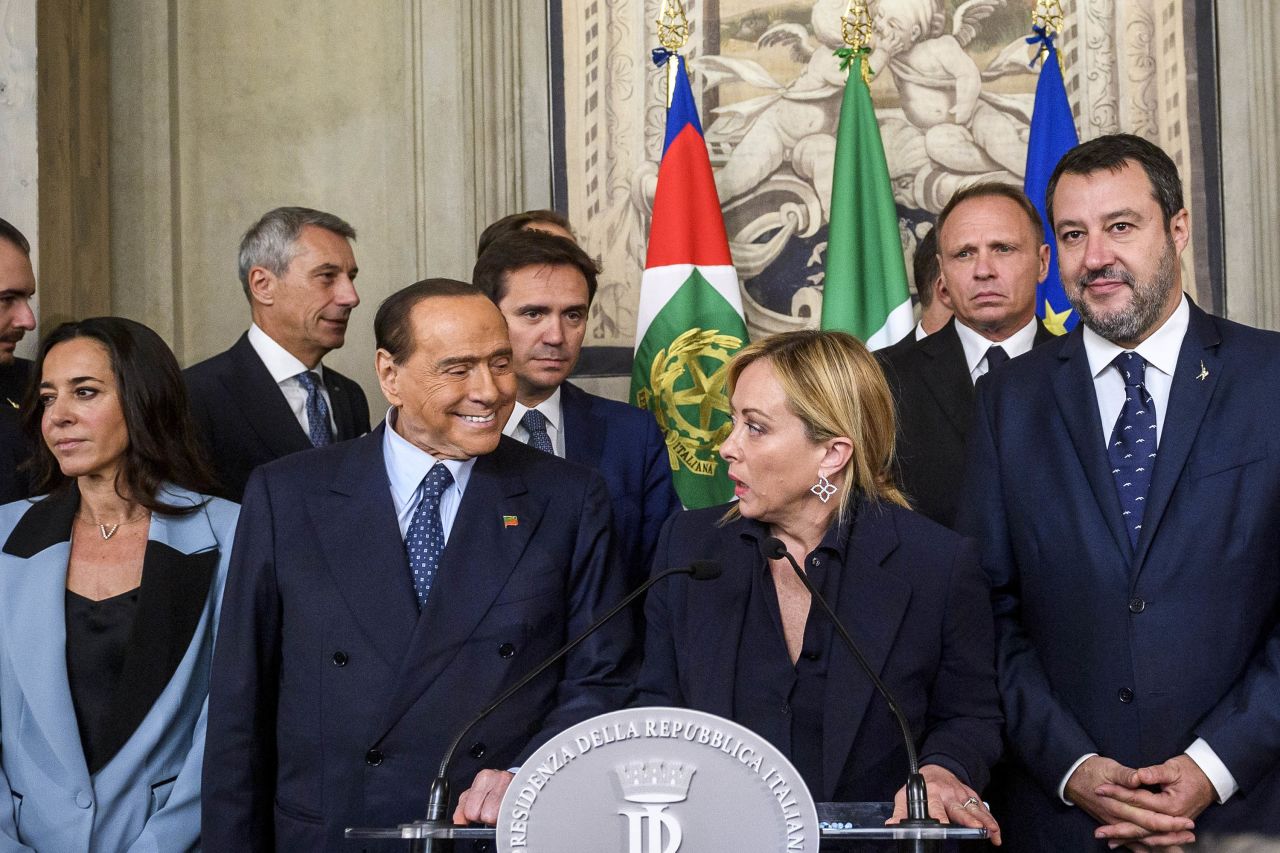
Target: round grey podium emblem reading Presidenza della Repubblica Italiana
[{"x": 659, "y": 781}]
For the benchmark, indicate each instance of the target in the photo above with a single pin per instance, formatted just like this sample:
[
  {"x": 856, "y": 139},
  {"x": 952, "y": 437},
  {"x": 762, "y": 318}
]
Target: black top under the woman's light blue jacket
[{"x": 98, "y": 633}]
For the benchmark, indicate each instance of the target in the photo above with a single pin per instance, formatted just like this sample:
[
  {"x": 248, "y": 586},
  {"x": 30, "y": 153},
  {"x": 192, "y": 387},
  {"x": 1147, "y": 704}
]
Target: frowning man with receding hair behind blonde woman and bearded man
[{"x": 993, "y": 256}]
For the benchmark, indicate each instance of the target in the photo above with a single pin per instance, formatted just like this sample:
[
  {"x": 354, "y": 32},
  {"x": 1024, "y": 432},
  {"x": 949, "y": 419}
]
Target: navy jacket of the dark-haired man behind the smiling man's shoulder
[{"x": 625, "y": 445}]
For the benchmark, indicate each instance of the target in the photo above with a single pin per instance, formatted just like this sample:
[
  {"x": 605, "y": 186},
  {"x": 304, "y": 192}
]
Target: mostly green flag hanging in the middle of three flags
[{"x": 865, "y": 290}]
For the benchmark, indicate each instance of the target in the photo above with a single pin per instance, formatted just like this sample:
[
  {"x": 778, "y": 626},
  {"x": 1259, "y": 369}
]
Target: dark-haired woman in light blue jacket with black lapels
[{"x": 109, "y": 595}]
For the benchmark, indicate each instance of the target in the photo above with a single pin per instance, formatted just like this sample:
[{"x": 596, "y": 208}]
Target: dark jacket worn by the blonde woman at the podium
[{"x": 913, "y": 599}]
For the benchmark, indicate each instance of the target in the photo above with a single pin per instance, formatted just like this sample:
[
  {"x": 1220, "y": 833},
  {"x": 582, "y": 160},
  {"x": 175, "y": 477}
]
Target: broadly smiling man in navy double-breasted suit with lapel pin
[{"x": 386, "y": 590}]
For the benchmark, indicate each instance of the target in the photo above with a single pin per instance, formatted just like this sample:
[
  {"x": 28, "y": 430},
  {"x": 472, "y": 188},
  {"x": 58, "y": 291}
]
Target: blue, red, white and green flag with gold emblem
[{"x": 691, "y": 317}]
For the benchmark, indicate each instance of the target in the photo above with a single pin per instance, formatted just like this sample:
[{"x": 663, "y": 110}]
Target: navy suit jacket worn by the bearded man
[{"x": 1133, "y": 656}]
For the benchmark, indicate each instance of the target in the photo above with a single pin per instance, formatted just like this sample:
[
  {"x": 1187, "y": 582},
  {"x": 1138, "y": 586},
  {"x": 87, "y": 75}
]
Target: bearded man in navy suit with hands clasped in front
[{"x": 1124, "y": 485}]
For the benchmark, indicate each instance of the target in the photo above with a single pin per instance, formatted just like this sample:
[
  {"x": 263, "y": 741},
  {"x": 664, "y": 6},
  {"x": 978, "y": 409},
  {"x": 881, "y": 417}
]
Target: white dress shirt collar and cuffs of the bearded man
[{"x": 1160, "y": 352}]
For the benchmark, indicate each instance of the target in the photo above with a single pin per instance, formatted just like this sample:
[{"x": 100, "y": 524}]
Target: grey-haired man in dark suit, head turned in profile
[{"x": 269, "y": 395}]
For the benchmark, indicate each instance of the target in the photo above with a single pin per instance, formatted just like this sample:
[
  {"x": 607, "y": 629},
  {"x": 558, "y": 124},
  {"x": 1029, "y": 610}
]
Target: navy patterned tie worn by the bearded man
[{"x": 1133, "y": 444}]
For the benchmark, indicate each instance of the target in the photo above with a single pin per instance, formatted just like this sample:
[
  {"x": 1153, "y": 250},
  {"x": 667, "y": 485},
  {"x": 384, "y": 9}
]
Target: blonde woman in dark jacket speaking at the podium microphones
[{"x": 811, "y": 459}]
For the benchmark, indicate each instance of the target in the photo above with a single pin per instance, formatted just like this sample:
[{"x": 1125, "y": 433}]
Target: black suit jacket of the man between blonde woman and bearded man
[{"x": 935, "y": 407}]
